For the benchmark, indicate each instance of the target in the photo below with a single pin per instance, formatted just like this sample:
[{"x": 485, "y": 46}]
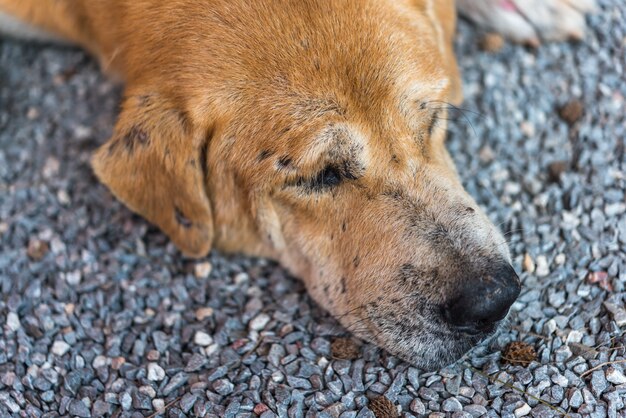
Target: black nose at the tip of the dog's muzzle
[{"x": 482, "y": 301}]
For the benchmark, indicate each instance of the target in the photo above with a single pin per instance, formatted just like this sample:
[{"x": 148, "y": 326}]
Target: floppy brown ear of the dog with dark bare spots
[{"x": 155, "y": 163}]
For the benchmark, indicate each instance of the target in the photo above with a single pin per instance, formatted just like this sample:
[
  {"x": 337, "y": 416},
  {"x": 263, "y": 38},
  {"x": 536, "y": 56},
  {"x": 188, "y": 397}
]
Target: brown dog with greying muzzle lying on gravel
[{"x": 311, "y": 132}]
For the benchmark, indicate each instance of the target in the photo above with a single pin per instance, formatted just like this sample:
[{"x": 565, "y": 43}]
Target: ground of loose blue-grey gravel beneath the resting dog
[{"x": 100, "y": 315}]
